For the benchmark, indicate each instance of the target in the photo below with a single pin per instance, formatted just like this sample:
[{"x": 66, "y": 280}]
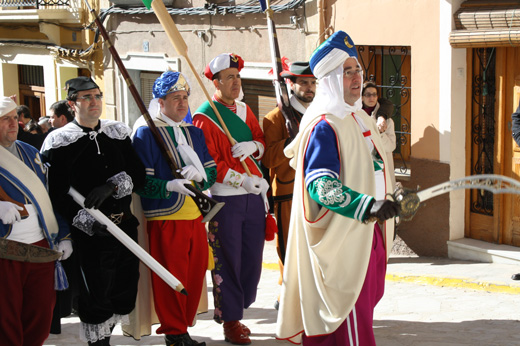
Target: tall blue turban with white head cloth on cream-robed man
[{"x": 326, "y": 64}]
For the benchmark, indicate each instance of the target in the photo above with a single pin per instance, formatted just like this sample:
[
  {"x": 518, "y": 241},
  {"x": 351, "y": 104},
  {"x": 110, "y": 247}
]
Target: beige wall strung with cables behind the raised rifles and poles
[{"x": 207, "y": 36}]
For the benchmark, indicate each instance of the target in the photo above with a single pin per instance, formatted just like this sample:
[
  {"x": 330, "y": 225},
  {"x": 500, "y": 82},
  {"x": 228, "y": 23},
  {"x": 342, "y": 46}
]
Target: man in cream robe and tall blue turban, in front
[{"x": 335, "y": 262}]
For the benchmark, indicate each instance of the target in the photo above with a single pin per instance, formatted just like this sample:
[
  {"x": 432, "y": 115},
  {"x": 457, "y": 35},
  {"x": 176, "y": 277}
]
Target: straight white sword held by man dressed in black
[{"x": 144, "y": 256}]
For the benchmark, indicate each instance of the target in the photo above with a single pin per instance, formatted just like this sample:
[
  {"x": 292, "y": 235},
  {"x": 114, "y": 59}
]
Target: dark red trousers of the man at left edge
[{"x": 27, "y": 299}]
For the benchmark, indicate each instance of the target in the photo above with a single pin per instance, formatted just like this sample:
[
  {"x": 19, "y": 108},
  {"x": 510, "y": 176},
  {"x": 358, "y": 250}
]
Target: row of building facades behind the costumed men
[{"x": 449, "y": 66}]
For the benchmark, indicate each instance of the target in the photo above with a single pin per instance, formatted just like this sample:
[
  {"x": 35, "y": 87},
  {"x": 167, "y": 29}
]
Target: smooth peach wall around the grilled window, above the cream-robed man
[{"x": 407, "y": 23}]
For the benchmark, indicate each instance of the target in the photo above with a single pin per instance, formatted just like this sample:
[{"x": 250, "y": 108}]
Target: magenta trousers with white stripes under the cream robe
[{"x": 357, "y": 330}]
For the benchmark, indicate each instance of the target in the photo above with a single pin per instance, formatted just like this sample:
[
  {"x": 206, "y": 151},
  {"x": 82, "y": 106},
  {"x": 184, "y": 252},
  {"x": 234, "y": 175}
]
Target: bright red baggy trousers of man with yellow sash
[{"x": 182, "y": 248}]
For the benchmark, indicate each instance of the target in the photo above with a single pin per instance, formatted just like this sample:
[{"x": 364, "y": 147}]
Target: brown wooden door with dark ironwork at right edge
[{"x": 493, "y": 94}]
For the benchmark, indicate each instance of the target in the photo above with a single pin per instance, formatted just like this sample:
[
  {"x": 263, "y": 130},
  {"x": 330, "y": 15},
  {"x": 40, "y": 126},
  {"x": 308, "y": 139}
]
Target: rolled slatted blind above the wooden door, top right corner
[{"x": 487, "y": 23}]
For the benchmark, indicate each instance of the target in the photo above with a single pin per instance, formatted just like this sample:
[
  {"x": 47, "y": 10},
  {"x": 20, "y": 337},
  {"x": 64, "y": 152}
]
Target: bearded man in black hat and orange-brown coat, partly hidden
[{"x": 302, "y": 83}]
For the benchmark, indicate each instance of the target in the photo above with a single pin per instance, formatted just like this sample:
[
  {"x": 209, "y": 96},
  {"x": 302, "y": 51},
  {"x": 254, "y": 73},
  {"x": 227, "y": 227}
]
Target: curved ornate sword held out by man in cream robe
[{"x": 410, "y": 199}]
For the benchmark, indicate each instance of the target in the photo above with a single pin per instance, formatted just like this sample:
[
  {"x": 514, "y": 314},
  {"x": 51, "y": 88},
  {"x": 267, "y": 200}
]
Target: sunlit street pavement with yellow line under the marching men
[{"x": 427, "y": 302}]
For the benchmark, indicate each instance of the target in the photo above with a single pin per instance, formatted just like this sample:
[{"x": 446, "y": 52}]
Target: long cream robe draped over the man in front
[{"x": 327, "y": 253}]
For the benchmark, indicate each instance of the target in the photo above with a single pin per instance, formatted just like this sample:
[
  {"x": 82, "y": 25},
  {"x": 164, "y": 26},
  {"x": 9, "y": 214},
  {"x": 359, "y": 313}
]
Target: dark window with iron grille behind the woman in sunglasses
[{"x": 389, "y": 67}]
